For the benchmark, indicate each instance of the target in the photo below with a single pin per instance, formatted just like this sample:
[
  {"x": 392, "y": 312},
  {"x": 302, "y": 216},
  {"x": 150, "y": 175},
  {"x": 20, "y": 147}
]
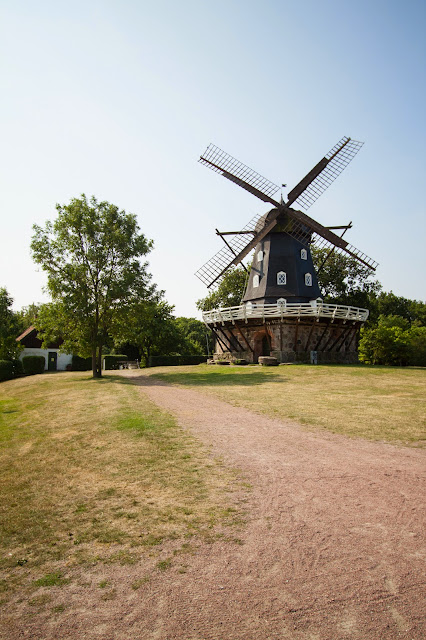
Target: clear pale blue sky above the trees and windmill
[{"x": 118, "y": 100}]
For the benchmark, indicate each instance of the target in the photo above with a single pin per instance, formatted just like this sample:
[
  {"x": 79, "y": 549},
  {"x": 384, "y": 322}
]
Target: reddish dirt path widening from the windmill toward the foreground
[{"x": 332, "y": 549}]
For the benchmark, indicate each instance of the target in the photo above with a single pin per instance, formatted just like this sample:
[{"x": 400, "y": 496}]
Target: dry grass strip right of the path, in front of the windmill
[{"x": 377, "y": 403}]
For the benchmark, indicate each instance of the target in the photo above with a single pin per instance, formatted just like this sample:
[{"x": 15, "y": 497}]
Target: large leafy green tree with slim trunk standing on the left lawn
[{"x": 91, "y": 254}]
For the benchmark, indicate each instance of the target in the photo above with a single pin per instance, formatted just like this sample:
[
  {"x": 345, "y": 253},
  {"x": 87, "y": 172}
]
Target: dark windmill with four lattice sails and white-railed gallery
[{"x": 282, "y": 286}]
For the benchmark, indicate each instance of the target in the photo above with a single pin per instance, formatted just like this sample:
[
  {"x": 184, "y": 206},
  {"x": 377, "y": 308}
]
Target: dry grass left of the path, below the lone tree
[{"x": 93, "y": 473}]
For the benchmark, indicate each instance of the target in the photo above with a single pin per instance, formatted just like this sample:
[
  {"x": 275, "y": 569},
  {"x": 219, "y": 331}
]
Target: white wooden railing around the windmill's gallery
[{"x": 289, "y": 310}]
